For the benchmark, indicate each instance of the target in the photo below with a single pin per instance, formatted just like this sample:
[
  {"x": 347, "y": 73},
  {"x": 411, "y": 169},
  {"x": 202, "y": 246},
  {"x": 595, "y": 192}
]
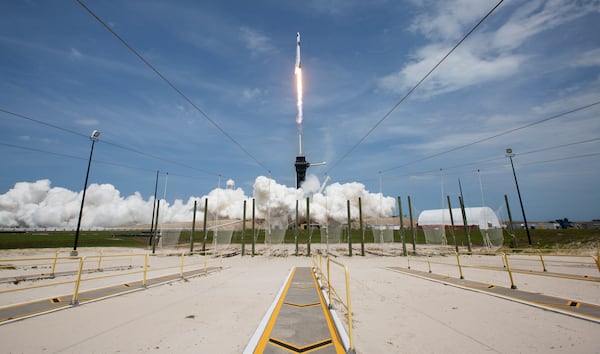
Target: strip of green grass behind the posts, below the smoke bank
[{"x": 569, "y": 238}]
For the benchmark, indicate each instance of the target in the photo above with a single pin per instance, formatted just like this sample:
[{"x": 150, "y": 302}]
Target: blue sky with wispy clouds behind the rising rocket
[{"x": 529, "y": 61}]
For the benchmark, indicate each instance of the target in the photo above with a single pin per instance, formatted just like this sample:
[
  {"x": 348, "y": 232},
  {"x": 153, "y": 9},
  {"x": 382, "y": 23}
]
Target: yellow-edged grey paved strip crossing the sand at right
[{"x": 549, "y": 306}]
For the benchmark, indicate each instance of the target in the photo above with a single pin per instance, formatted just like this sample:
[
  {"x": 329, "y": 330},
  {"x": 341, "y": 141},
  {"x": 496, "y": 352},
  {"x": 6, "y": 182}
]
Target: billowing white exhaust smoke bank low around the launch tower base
[{"x": 38, "y": 204}]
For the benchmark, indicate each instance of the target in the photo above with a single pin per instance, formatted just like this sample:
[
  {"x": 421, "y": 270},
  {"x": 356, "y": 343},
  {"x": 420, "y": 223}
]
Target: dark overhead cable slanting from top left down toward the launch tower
[{"x": 170, "y": 84}]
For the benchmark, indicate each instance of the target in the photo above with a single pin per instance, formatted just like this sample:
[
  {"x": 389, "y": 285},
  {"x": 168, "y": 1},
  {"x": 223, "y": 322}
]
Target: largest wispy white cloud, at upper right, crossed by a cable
[{"x": 485, "y": 56}]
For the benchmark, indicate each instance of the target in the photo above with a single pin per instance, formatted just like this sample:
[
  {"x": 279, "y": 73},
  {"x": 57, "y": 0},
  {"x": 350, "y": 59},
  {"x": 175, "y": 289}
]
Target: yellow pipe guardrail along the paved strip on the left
[{"x": 86, "y": 268}]
